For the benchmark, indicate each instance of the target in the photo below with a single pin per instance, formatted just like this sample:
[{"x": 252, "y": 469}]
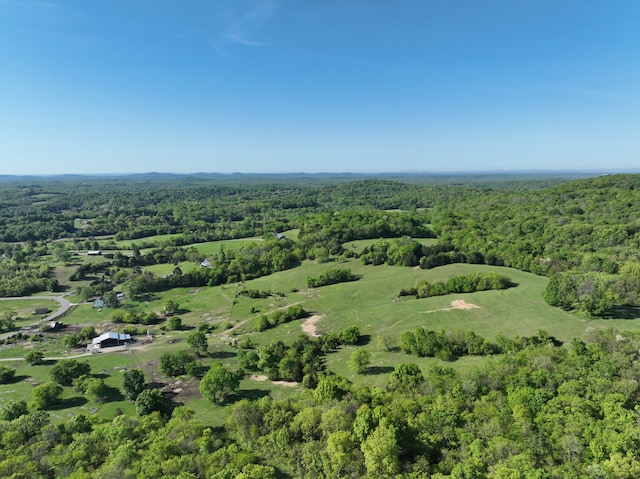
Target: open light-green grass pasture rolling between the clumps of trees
[{"x": 371, "y": 304}]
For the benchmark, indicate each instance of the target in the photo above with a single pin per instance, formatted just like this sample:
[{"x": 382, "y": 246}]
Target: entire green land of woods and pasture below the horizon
[{"x": 404, "y": 393}]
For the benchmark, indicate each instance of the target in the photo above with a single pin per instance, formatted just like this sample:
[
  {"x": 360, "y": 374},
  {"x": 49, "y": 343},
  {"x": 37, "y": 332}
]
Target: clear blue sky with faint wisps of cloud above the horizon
[{"x": 124, "y": 86}]
